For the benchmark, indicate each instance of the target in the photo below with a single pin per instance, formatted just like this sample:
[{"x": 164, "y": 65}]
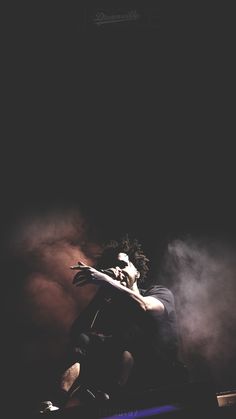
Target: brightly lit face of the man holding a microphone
[{"x": 125, "y": 271}]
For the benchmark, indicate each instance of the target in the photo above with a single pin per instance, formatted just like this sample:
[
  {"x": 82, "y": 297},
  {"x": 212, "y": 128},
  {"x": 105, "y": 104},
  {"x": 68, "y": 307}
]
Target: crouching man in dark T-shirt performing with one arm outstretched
[{"x": 126, "y": 338}]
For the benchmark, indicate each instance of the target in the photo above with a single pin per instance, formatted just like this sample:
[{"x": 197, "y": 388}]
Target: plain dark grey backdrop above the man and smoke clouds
[{"x": 130, "y": 124}]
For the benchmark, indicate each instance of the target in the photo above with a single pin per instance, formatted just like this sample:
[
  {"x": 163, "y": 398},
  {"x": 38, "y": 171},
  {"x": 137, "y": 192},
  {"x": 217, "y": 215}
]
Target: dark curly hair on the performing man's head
[{"x": 126, "y": 245}]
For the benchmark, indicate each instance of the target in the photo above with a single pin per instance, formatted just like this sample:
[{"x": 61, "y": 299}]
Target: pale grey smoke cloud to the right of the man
[{"x": 202, "y": 275}]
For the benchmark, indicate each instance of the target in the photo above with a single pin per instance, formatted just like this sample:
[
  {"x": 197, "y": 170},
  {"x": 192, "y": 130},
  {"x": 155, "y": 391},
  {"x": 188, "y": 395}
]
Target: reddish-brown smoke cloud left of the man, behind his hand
[{"x": 48, "y": 302}]
